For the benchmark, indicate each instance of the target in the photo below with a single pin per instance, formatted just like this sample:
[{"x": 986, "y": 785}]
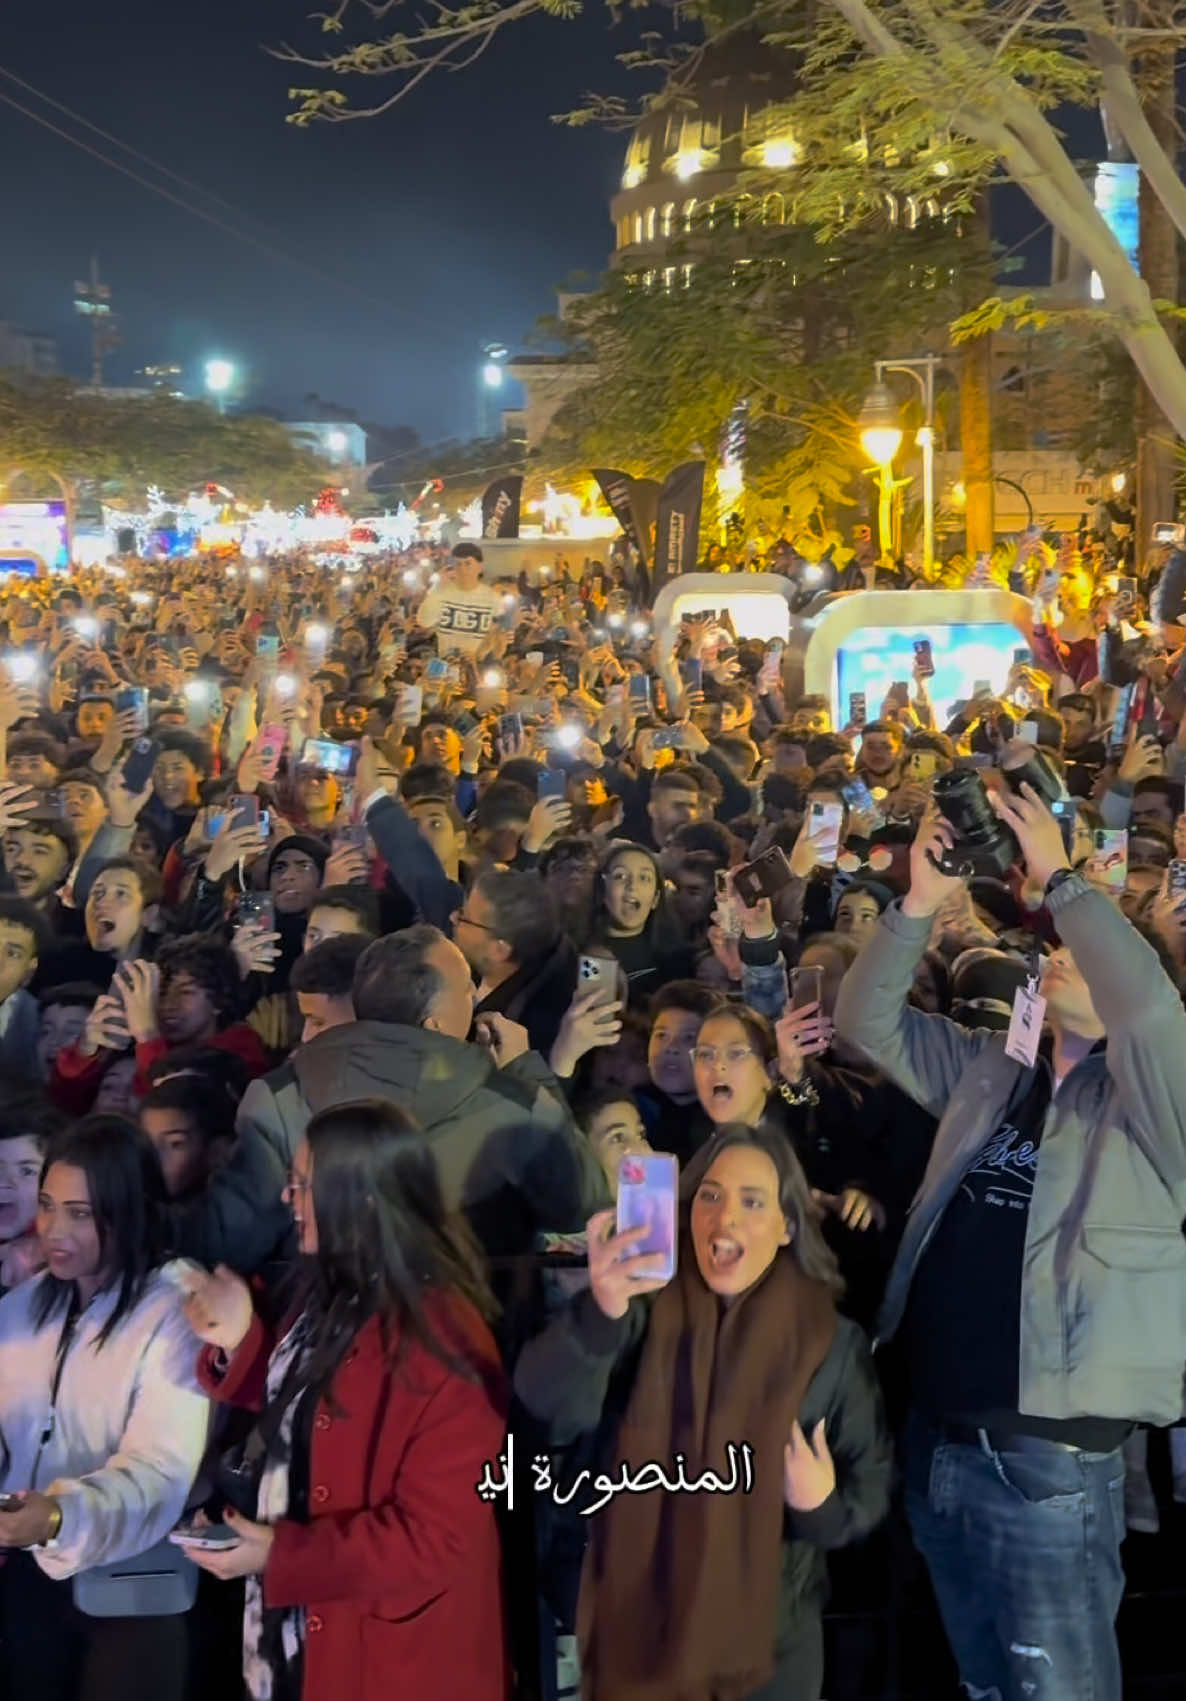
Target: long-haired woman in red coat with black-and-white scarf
[{"x": 372, "y": 1564}]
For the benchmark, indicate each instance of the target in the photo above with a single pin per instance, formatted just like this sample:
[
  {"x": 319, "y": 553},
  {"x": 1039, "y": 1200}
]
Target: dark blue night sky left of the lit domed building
[{"x": 459, "y": 213}]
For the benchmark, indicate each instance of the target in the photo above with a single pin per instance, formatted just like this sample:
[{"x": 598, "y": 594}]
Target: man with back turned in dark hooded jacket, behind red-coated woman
[{"x": 508, "y": 1151}]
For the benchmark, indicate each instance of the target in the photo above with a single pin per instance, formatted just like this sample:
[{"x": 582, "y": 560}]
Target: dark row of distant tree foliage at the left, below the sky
[{"x": 125, "y": 445}]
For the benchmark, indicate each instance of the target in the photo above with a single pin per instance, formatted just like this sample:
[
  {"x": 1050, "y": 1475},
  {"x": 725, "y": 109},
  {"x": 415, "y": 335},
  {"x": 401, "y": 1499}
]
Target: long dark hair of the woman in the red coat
[{"x": 385, "y": 1241}]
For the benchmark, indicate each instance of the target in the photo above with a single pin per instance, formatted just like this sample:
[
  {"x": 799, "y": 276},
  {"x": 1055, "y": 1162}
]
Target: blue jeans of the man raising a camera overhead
[{"x": 1023, "y": 1552}]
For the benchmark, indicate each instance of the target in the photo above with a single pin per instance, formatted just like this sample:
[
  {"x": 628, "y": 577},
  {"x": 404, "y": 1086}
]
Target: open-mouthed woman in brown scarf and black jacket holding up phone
[{"x": 707, "y": 1593}]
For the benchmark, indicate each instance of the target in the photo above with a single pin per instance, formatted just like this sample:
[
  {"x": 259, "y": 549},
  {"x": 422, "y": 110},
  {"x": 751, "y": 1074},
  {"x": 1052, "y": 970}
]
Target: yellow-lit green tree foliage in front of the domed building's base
[{"x": 777, "y": 322}]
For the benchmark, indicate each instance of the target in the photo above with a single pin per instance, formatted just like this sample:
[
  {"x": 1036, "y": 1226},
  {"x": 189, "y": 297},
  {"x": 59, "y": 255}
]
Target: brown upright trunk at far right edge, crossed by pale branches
[{"x": 1160, "y": 270}]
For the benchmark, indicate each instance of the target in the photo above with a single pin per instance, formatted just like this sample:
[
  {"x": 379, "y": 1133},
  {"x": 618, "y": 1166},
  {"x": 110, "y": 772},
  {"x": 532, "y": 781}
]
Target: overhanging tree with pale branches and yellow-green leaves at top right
[{"x": 927, "y": 100}]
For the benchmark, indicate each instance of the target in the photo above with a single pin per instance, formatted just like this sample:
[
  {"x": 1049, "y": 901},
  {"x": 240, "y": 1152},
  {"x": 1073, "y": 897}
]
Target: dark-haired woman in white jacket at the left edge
[{"x": 103, "y": 1430}]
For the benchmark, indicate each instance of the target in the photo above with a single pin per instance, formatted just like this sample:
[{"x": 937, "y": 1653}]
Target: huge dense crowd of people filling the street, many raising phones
[{"x": 368, "y": 940}]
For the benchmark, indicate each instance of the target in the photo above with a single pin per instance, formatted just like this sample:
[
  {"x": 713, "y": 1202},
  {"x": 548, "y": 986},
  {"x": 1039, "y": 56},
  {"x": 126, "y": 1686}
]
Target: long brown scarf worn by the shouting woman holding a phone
[{"x": 680, "y": 1593}]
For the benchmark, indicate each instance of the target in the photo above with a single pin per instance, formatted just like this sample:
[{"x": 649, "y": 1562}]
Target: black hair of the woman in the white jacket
[{"x": 128, "y": 1202}]
